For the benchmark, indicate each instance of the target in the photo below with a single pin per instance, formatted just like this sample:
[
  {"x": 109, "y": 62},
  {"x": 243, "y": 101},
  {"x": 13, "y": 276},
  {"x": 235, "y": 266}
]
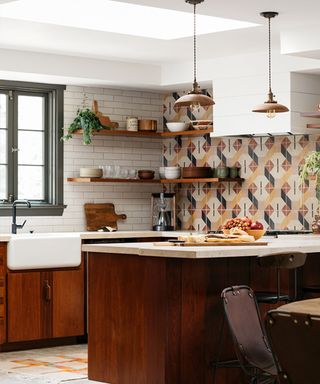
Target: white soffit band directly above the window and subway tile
[{"x": 48, "y": 67}]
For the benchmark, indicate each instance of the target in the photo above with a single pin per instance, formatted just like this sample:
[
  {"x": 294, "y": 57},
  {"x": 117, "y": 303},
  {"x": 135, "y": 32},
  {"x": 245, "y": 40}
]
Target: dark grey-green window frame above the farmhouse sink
[{"x": 54, "y": 106}]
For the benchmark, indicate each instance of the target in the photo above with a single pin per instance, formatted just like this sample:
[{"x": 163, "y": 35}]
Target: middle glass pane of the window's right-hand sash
[{"x": 31, "y": 148}]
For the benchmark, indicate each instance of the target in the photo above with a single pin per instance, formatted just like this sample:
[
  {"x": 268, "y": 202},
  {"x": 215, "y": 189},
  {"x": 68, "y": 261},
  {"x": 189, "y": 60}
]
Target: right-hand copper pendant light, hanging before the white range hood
[{"x": 271, "y": 106}]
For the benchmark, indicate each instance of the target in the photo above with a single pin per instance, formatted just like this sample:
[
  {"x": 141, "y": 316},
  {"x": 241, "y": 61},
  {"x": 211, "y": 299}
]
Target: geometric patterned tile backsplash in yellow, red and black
[{"x": 271, "y": 192}]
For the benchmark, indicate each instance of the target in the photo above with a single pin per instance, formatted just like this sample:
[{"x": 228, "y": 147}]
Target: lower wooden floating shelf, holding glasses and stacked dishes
[{"x": 153, "y": 181}]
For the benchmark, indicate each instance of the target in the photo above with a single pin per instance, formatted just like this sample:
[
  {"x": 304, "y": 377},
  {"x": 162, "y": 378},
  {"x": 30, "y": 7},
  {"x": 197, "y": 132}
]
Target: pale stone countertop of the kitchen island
[{"x": 303, "y": 243}]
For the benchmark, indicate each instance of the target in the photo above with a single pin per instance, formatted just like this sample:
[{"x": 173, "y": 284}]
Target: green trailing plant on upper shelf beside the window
[{"x": 86, "y": 120}]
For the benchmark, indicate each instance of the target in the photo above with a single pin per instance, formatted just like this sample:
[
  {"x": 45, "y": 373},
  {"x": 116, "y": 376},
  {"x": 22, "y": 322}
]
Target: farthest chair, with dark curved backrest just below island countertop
[{"x": 280, "y": 261}]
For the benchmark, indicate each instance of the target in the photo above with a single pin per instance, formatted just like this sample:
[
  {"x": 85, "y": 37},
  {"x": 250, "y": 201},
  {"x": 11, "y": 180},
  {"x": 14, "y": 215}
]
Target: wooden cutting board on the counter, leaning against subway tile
[{"x": 101, "y": 215}]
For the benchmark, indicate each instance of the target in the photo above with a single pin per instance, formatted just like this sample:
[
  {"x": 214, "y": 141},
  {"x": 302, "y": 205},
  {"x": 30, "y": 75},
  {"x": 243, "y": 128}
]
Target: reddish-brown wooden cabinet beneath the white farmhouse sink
[{"x": 41, "y": 304}]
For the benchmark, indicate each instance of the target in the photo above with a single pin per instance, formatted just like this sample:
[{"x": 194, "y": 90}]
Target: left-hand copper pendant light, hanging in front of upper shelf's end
[{"x": 194, "y": 99}]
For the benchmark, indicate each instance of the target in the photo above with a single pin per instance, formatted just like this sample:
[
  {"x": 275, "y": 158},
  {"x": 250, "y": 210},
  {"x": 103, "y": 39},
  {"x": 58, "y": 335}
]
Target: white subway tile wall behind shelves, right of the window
[{"x": 133, "y": 153}]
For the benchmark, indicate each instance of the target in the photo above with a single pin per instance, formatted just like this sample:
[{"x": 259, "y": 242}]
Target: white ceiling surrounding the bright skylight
[{"x": 66, "y": 41}]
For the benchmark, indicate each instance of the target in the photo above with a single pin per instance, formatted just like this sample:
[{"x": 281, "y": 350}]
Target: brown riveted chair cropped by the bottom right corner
[{"x": 294, "y": 334}]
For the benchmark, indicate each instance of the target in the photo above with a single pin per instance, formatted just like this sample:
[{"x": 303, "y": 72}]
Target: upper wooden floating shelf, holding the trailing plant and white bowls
[{"x": 114, "y": 132}]
